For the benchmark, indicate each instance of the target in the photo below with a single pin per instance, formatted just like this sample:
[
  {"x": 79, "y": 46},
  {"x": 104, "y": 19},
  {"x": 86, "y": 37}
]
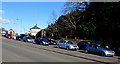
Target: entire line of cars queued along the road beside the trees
[{"x": 87, "y": 46}]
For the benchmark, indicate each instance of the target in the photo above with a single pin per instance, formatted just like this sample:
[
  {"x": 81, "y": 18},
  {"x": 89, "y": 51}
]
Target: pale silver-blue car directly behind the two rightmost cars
[{"x": 67, "y": 44}]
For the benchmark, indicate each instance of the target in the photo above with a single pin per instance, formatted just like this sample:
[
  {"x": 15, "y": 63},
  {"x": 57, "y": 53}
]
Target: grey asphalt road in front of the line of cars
[{"x": 17, "y": 51}]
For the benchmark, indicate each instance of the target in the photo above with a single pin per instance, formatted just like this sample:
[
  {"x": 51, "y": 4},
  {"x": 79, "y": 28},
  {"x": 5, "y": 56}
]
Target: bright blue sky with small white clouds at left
[{"x": 28, "y": 14}]
